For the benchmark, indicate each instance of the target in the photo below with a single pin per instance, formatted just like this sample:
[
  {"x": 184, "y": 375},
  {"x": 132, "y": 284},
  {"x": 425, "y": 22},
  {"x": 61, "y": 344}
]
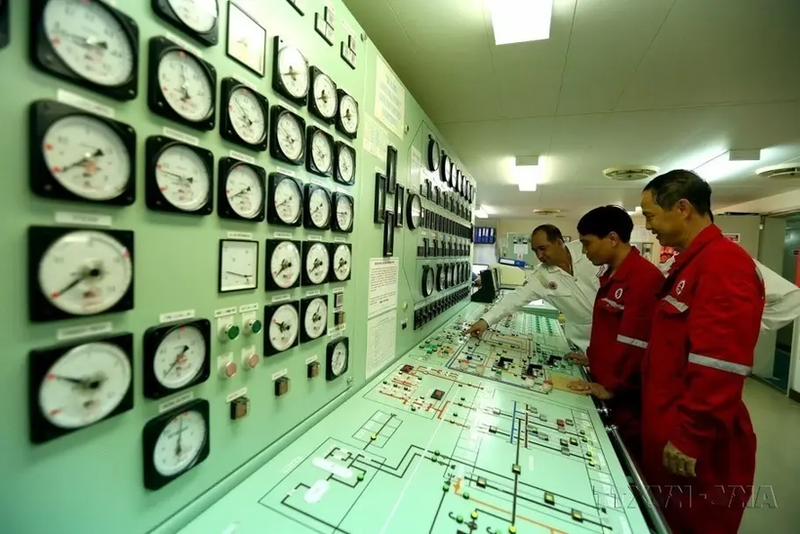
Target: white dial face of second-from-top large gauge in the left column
[{"x": 87, "y": 157}]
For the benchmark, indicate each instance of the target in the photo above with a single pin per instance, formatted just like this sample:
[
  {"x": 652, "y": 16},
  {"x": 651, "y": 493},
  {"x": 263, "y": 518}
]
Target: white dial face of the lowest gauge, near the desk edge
[{"x": 180, "y": 443}]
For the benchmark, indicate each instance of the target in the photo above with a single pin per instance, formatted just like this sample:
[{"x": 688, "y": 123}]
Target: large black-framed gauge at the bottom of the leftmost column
[{"x": 77, "y": 385}]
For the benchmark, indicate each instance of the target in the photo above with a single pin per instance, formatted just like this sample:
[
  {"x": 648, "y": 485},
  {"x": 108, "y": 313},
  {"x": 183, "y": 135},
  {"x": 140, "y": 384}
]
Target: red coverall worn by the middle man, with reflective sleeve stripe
[{"x": 621, "y": 320}]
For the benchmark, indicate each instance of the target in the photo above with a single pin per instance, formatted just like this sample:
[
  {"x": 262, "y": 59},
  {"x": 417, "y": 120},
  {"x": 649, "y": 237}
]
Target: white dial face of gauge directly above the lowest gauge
[{"x": 180, "y": 356}]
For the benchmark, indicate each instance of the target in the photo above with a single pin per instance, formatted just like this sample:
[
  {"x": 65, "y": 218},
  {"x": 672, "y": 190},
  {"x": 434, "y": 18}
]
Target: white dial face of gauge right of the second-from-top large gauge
[{"x": 183, "y": 178}]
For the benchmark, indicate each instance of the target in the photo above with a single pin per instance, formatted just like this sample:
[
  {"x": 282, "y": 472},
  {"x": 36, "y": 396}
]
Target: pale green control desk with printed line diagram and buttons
[{"x": 458, "y": 436}]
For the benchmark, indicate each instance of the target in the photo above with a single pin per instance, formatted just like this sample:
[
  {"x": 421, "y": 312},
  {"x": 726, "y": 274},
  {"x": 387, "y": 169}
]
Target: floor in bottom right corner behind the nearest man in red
[{"x": 776, "y": 503}]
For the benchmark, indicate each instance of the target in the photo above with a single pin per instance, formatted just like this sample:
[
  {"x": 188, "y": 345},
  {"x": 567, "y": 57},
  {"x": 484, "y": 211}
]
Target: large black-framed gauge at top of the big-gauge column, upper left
[{"x": 89, "y": 43}]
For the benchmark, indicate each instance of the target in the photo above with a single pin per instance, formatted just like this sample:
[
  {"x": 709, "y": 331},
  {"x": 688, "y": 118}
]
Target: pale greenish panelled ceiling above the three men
[{"x": 671, "y": 83}]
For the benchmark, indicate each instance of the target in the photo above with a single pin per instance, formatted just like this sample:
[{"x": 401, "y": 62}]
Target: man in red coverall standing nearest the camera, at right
[{"x": 698, "y": 445}]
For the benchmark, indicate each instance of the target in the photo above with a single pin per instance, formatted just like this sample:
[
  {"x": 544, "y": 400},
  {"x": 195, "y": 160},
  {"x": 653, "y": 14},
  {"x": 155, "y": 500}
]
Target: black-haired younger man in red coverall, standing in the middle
[{"x": 621, "y": 318}]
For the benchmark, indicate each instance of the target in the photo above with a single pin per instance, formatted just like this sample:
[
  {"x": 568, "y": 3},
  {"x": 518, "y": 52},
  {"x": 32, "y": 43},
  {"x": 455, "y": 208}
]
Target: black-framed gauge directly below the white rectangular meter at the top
[{"x": 243, "y": 119}]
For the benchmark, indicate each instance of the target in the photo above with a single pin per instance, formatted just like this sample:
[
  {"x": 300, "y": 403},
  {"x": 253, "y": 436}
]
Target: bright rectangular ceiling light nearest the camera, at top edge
[{"x": 519, "y": 21}]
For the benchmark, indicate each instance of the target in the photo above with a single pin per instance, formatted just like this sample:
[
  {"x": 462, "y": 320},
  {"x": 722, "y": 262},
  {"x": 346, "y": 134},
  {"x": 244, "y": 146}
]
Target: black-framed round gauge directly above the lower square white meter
[{"x": 241, "y": 190}]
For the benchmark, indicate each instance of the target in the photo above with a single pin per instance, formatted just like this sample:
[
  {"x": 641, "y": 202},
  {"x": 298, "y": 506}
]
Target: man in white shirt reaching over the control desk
[{"x": 565, "y": 278}]
